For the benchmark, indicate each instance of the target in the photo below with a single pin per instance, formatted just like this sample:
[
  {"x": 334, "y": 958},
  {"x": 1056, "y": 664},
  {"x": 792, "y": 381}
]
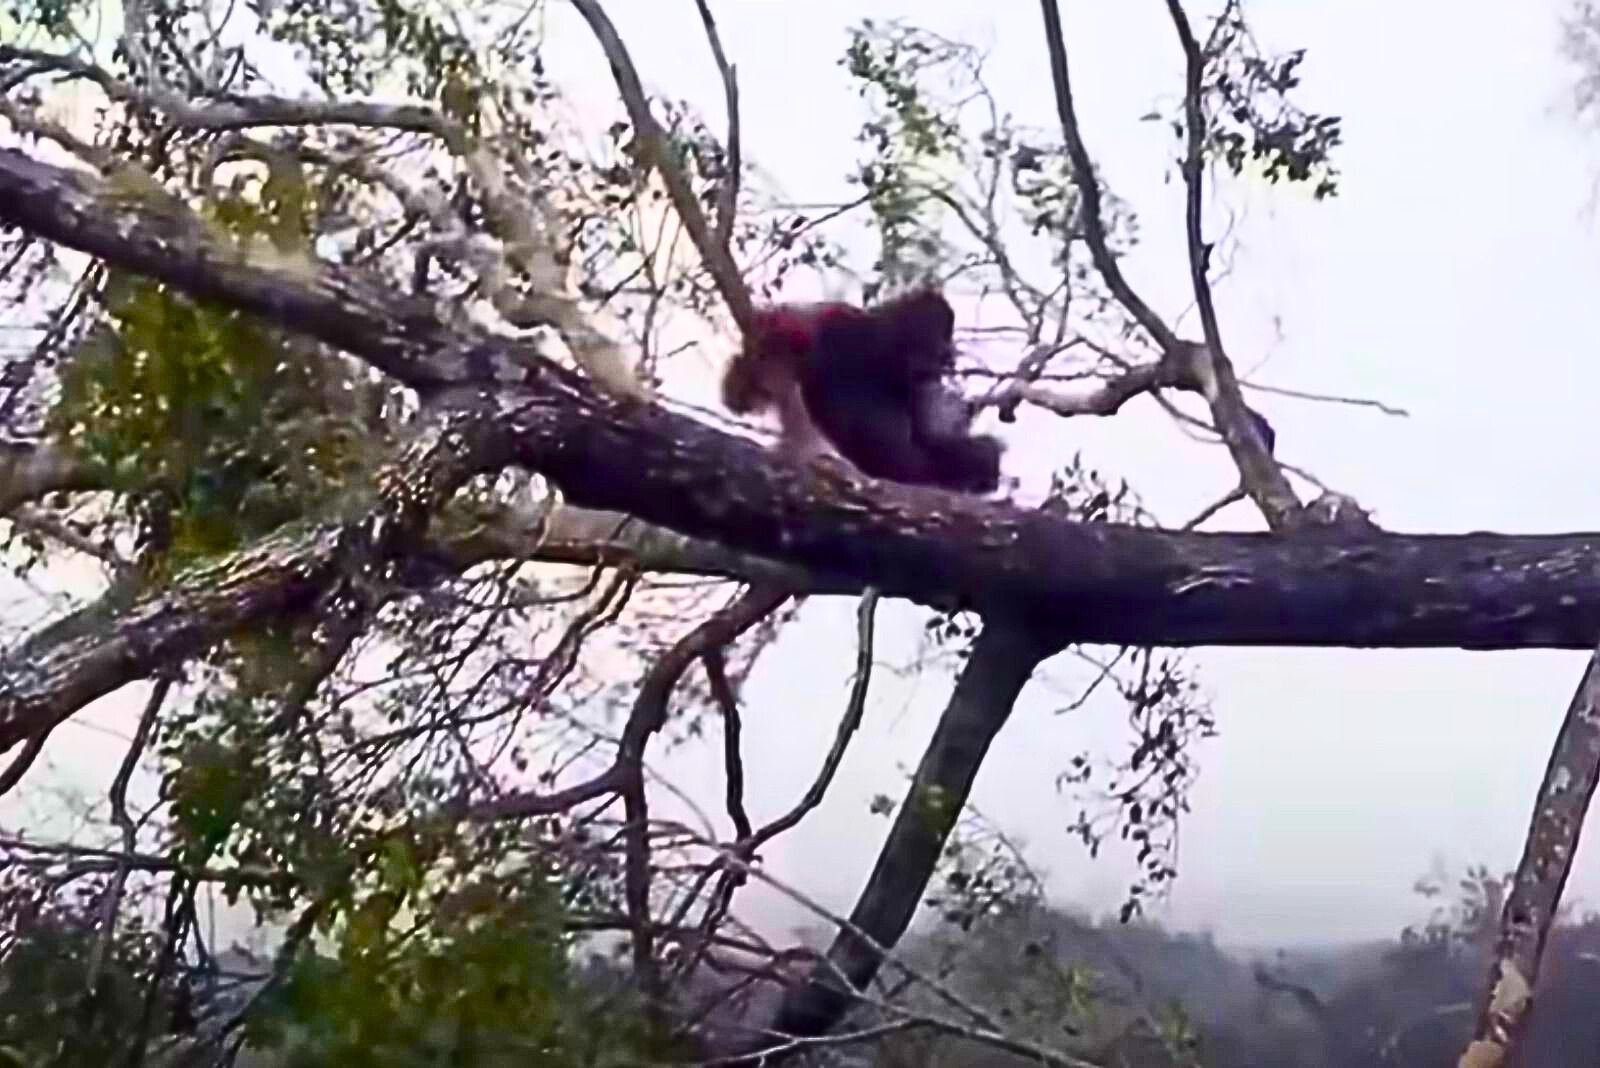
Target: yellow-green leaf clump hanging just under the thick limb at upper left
[{"x": 215, "y": 424}]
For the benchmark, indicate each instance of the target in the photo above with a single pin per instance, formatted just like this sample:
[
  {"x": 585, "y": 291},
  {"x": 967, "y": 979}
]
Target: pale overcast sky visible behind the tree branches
[{"x": 1457, "y": 276}]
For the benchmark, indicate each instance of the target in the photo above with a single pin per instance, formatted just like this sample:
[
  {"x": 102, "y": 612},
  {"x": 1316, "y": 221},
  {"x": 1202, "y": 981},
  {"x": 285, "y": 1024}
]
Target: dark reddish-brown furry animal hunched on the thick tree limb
[{"x": 870, "y": 386}]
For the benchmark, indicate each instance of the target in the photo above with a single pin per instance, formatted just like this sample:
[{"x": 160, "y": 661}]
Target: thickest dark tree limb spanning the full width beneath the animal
[{"x": 1089, "y": 583}]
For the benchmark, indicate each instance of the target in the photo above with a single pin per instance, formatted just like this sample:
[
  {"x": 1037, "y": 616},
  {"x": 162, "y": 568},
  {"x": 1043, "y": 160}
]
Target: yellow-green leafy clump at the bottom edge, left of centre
[{"x": 446, "y": 960}]
